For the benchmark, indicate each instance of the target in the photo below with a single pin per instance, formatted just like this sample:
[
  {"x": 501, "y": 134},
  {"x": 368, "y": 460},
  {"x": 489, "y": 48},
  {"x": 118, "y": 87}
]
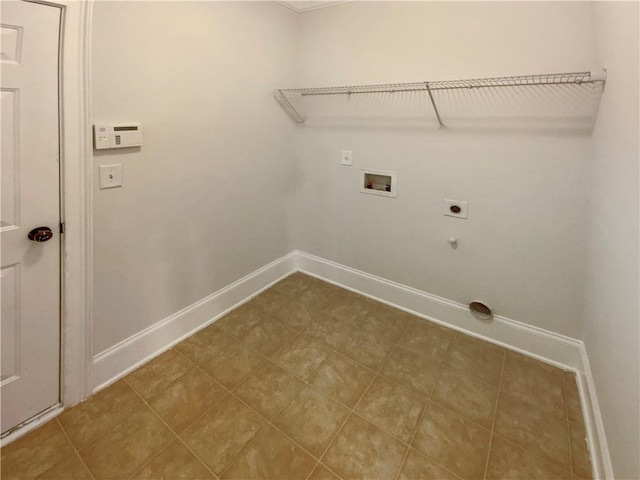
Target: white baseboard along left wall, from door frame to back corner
[{"x": 124, "y": 357}]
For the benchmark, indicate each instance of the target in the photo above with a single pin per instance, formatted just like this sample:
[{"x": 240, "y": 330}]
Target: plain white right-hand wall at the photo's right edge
[{"x": 611, "y": 330}]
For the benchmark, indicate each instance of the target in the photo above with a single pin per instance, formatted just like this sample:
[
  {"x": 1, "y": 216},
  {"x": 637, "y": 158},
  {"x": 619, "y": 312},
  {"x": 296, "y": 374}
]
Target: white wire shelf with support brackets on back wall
[{"x": 570, "y": 78}]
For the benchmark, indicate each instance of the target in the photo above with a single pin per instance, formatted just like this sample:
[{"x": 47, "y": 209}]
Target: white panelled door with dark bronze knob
[{"x": 30, "y": 195}]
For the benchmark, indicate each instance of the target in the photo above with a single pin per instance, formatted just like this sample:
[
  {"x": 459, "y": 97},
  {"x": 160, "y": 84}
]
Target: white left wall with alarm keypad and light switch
[{"x": 207, "y": 199}]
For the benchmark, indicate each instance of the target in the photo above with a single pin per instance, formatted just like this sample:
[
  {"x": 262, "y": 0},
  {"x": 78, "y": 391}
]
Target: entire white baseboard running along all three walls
[{"x": 565, "y": 352}]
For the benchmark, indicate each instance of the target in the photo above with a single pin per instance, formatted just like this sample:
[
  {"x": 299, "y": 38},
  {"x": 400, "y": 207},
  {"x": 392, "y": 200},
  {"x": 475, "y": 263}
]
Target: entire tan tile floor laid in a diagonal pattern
[{"x": 309, "y": 381}]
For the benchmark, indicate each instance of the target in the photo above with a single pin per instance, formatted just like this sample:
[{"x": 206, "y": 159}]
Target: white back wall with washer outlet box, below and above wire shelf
[{"x": 522, "y": 248}]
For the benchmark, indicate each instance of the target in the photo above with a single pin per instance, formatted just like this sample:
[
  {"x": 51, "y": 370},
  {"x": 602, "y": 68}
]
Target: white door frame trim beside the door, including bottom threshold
[{"x": 76, "y": 187}]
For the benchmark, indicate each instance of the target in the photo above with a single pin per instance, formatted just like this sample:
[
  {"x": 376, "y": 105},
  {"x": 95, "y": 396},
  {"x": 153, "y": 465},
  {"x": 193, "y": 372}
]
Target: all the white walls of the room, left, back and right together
[{"x": 210, "y": 197}]
